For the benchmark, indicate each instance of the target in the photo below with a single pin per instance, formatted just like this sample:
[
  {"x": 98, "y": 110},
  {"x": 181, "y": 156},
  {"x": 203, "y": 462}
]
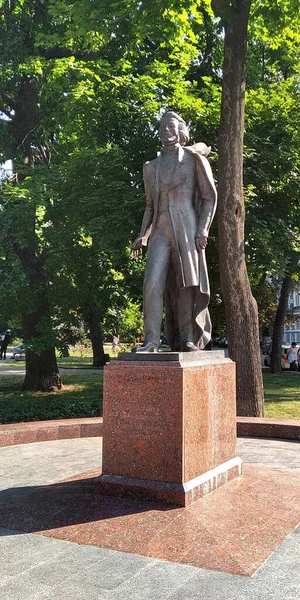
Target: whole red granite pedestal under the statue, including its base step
[{"x": 169, "y": 426}]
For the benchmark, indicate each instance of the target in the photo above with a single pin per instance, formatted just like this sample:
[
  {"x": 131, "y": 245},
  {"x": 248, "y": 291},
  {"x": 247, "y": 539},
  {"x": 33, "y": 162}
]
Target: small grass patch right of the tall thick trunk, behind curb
[{"x": 282, "y": 395}]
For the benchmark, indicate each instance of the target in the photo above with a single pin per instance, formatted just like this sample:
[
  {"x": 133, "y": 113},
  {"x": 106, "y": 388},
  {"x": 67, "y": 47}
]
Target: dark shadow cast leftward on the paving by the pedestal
[{"x": 35, "y": 509}]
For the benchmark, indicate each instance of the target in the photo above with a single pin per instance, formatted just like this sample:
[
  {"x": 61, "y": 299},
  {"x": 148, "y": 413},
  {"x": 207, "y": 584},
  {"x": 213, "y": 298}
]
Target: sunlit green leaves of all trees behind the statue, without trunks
[{"x": 104, "y": 73}]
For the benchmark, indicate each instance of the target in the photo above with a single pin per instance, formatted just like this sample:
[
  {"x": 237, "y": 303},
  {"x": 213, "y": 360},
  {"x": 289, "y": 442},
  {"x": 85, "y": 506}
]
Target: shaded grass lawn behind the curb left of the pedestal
[{"x": 81, "y": 396}]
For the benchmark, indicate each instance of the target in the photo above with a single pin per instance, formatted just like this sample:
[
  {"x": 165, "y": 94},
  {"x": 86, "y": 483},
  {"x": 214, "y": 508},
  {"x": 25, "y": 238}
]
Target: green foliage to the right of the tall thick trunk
[{"x": 272, "y": 163}]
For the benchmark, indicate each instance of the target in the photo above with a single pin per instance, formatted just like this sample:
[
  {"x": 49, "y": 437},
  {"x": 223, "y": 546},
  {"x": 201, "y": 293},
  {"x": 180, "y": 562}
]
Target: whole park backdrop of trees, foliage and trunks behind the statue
[{"x": 81, "y": 95}]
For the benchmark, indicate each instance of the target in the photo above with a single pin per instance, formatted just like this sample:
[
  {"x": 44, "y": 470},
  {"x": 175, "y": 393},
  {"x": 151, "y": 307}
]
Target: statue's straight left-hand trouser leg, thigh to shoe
[{"x": 158, "y": 261}]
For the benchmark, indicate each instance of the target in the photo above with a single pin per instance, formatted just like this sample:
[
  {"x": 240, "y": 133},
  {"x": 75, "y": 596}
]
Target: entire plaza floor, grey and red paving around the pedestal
[{"x": 59, "y": 539}]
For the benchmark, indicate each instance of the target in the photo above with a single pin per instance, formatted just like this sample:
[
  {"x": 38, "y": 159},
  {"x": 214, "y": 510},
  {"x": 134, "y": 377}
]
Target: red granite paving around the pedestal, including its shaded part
[{"x": 234, "y": 529}]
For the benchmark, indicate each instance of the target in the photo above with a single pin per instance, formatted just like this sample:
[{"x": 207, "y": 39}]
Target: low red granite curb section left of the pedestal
[{"x": 42, "y": 431}]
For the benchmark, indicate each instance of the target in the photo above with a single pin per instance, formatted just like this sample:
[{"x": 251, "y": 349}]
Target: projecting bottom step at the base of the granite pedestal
[{"x": 170, "y": 493}]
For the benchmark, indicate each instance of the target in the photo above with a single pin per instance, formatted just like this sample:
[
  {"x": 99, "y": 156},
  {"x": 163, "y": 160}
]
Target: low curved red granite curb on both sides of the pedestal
[{"x": 60, "y": 429}]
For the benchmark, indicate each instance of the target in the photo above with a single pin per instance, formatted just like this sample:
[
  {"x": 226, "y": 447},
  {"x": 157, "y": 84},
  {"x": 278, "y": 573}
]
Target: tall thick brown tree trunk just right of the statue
[{"x": 241, "y": 308}]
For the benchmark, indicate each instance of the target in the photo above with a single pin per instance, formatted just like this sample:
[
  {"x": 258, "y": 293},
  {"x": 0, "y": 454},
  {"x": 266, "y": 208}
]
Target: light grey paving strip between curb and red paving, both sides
[{"x": 44, "y": 463}]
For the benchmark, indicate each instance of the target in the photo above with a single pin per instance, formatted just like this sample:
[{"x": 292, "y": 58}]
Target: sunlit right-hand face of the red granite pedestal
[{"x": 209, "y": 413}]
